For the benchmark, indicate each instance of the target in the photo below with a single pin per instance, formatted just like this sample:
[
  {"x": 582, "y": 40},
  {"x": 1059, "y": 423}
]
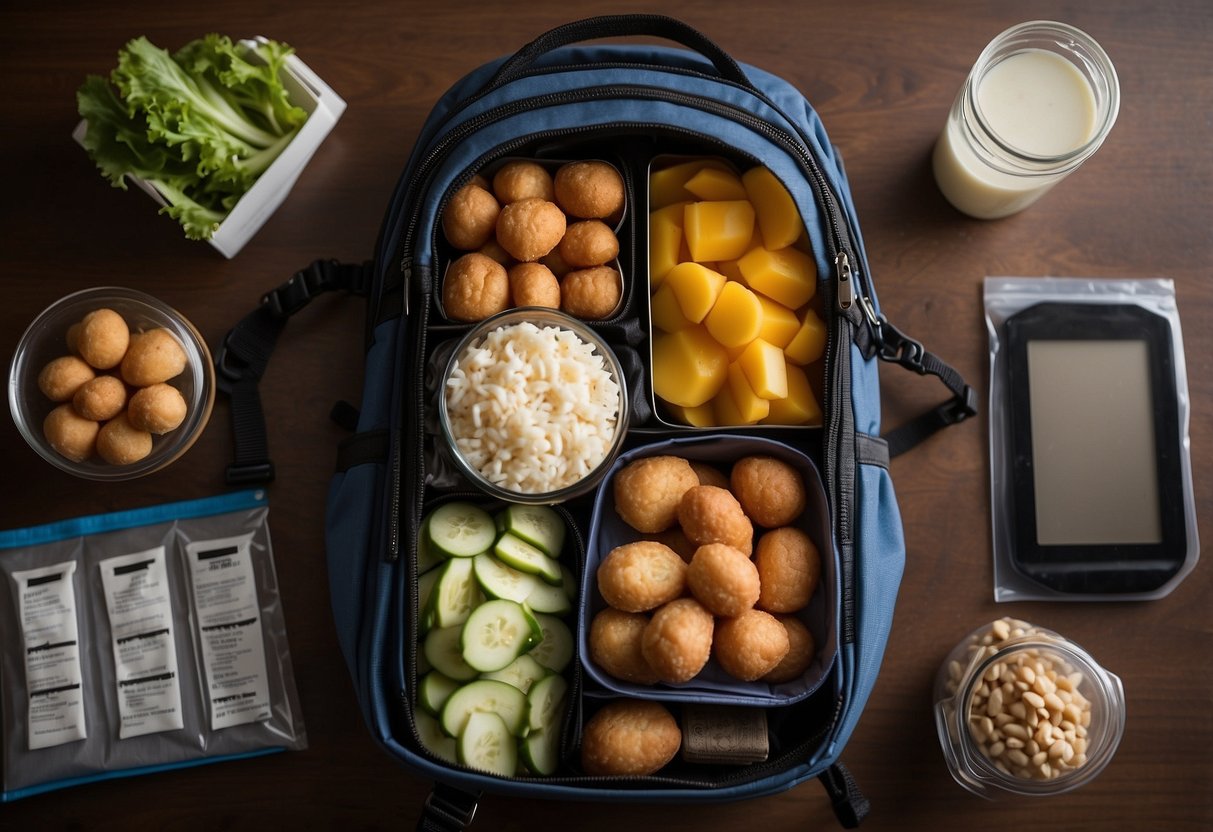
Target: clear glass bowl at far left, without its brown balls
[{"x": 47, "y": 340}]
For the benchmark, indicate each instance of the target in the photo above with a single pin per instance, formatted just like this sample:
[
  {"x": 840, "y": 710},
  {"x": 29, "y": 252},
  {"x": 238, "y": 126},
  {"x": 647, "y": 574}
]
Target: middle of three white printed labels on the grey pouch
[{"x": 138, "y": 597}]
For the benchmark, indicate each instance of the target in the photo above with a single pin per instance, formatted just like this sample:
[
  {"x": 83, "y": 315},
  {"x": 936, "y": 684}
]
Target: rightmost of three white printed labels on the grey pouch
[{"x": 230, "y": 629}]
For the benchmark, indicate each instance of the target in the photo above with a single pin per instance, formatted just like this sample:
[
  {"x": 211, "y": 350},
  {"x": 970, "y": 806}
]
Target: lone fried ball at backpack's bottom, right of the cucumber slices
[{"x": 630, "y": 737}]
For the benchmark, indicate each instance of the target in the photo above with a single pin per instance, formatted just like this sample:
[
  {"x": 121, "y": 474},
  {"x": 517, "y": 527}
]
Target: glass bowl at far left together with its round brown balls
[{"x": 111, "y": 384}]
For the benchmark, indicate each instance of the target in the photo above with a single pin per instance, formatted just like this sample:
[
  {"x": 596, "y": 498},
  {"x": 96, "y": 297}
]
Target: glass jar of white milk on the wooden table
[{"x": 1040, "y": 100}]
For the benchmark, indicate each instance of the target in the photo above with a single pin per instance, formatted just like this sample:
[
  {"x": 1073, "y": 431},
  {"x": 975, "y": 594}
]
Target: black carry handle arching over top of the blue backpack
[{"x": 620, "y": 26}]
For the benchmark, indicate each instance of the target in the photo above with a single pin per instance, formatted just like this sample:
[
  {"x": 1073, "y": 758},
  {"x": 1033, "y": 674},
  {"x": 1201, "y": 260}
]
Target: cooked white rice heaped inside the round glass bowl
[{"x": 533, "y": 409}]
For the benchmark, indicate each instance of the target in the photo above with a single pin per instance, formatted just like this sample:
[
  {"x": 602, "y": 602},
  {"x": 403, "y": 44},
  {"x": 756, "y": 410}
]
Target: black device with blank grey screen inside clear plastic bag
[{"x": 1095, "y": 448}]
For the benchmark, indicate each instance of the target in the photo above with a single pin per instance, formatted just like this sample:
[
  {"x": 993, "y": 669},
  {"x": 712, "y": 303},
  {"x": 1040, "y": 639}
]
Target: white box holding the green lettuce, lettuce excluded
[{"x": 324, "y": 109}]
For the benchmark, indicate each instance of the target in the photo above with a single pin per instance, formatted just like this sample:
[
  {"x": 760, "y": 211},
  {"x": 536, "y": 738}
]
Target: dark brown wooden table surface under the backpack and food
[{"x": 882, "y": 75}]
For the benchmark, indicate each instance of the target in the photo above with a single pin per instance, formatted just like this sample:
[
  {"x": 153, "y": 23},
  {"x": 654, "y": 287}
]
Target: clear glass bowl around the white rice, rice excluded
[{"x": 540, "y": 318}]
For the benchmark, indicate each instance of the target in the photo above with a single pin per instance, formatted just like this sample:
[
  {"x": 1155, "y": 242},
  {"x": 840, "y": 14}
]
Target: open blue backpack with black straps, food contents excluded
[{"x": 560, "y": 99}]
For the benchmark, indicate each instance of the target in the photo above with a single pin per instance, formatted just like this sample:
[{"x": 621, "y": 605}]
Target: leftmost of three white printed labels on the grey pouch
[{"x": 47, "y": 603}]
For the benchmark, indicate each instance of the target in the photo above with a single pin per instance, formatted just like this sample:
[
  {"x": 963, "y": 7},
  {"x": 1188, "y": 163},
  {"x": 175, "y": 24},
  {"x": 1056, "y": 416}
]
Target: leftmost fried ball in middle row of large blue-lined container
[{"x": 641, "y": 577}]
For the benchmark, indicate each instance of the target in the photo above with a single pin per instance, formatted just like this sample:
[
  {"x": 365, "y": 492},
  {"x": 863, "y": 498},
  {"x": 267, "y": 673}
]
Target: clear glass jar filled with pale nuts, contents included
[{"x": 984, "y": 753}]
